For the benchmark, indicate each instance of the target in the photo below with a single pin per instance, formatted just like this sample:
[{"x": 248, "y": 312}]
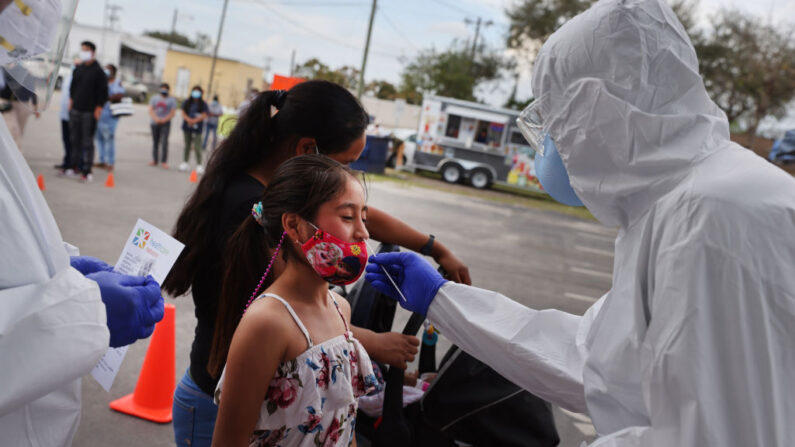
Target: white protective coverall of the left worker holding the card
[{"x": 52, "y": 319}]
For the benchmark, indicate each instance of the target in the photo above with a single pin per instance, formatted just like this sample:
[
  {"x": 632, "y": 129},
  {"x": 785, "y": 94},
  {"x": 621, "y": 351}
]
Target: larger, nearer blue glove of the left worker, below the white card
[{"x": 133, "y": 305}]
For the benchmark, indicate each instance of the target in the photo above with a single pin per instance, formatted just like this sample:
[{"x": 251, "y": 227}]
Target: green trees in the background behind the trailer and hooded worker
[{"x": 748, "y": 66}]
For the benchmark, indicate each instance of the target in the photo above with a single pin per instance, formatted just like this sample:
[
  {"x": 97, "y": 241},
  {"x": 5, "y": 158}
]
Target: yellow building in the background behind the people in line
[{"x": 185, "y": 68}]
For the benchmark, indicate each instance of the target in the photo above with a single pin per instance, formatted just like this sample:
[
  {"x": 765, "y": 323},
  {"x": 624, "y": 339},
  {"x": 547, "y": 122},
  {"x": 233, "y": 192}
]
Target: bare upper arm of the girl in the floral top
[{"x": 250, "y": 366}]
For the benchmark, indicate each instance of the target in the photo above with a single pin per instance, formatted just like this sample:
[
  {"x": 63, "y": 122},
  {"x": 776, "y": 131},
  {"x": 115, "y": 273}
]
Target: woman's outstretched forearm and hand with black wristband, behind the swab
[{"x": 385, "y": 228}]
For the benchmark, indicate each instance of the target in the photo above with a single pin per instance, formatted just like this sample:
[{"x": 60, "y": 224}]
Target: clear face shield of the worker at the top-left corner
[{"x": 33, "y": 37}]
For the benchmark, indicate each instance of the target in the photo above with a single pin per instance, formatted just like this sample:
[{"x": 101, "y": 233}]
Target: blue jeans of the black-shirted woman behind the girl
[{"x": 194, "y": 414}]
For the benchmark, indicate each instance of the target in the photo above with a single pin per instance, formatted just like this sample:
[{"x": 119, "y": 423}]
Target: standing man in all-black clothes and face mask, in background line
[{"x": 88, "y": 94}]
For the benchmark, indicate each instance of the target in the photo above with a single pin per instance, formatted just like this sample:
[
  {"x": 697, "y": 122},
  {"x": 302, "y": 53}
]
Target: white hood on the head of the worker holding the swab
[{"x": 625, "y": 105}]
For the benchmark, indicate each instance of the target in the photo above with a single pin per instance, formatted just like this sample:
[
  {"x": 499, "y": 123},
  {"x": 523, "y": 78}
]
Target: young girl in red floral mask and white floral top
[{"x": 294, "y": 370}]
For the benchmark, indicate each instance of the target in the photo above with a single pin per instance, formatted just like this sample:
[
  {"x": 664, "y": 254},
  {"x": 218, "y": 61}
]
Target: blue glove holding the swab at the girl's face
[{"x": 415, "y": 277}]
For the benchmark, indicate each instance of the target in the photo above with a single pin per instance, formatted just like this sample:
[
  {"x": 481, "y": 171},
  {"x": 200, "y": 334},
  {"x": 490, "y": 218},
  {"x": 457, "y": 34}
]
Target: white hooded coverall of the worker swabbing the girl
[{"x": 695, "y": 343}]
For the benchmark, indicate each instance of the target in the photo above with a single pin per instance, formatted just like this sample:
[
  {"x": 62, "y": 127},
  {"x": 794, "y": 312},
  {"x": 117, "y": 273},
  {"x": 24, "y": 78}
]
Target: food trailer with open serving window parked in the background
[{"x": 476, "y": 143}]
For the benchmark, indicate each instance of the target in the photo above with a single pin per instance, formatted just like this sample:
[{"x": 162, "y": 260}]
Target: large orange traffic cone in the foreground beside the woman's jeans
[{"x": 154, "y": 391}]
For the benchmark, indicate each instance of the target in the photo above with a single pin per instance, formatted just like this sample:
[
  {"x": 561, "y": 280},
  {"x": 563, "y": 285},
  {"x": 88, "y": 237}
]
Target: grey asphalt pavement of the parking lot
[{"x": 539, "y": 258}]
